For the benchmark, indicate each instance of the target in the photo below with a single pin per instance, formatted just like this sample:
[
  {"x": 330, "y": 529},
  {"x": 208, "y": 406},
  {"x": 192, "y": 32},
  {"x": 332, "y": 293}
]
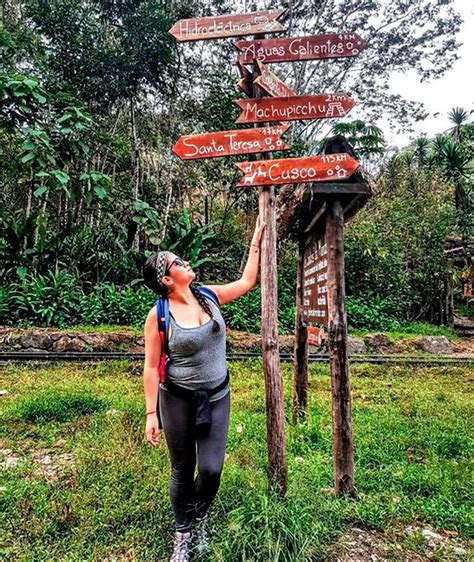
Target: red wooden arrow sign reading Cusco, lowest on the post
[{"x": 297, "y": 170}]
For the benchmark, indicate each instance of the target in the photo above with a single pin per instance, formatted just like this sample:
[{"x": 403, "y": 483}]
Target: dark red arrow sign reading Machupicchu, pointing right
[{"x": 258, "y": 110}]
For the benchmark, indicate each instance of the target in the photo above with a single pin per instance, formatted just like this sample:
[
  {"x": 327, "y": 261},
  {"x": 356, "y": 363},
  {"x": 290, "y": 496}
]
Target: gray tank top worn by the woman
[{"x": 197, "y": 357}]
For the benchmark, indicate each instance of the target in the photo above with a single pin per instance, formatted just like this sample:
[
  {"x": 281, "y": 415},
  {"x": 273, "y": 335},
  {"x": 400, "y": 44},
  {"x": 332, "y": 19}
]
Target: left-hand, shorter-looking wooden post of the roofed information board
[{"x": 300, "y": 362}]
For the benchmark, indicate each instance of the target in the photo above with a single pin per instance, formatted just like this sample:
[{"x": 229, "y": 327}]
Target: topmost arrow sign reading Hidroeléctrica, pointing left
[{"x": 218, "y": 27}]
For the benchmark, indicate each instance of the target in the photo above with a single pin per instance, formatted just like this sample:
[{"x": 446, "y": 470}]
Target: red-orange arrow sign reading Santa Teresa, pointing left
[{"x": 228, "y": 143}]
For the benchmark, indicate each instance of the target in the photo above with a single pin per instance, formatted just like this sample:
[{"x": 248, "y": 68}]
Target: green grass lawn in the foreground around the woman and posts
[{"x": 413, "y": 453}]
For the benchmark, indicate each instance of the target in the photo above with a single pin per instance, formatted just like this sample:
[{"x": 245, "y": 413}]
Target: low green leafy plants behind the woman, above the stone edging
[{"x": 62, "y": 300}]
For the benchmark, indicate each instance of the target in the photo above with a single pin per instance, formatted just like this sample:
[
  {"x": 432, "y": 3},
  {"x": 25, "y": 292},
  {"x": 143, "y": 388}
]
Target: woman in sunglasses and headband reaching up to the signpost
[{"x": 194, "y": 401}]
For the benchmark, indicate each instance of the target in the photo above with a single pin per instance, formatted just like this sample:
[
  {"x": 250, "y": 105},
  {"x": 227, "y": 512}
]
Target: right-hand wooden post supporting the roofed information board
[{"x": 343, "y": 447}]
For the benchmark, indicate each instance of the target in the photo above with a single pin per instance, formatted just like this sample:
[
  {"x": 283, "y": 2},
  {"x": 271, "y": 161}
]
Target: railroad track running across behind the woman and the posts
[{"x": 25, "y": 356}]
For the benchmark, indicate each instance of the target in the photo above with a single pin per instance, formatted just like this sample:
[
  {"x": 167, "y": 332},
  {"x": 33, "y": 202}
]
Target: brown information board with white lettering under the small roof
[{"x": 315, "y": 274}]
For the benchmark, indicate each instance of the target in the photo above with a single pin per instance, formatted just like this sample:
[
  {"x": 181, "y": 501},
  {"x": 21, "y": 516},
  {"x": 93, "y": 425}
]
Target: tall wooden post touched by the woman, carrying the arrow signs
[{"x": 276, "y": 446}]
